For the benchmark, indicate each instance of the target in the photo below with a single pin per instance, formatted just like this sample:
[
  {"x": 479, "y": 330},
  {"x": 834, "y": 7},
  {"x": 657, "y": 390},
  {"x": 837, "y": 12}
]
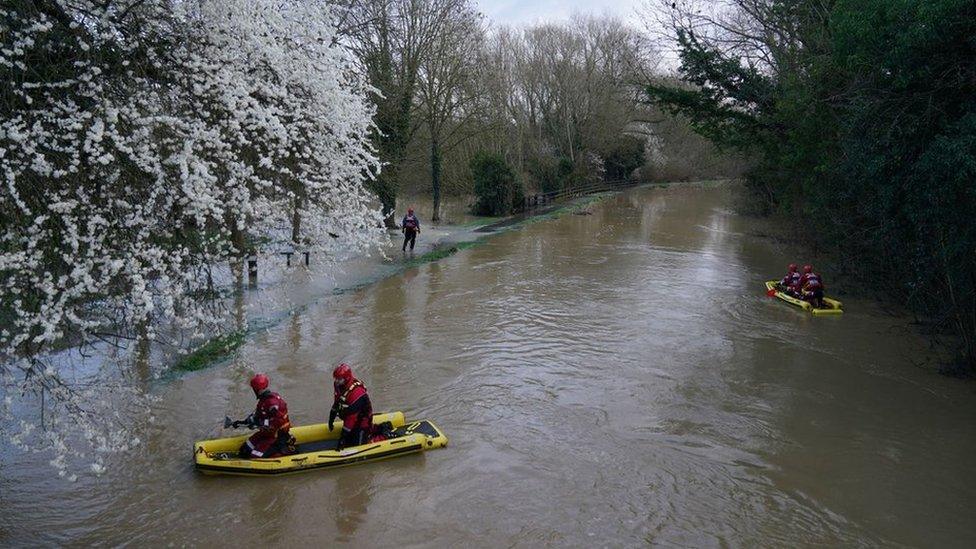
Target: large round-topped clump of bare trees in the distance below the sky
[{"x": 563, "y": 94}]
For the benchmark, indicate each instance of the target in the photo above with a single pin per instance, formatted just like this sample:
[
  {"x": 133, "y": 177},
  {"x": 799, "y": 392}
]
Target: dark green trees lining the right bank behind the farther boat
[{"x": 865, "y": 130}]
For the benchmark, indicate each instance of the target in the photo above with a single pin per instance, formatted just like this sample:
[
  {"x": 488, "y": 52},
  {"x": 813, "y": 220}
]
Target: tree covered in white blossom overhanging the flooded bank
[{"x": 144, "y": 143}]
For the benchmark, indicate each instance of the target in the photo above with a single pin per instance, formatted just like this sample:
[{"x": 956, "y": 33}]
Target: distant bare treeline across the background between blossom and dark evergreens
[{"x": 560, "y": 102}]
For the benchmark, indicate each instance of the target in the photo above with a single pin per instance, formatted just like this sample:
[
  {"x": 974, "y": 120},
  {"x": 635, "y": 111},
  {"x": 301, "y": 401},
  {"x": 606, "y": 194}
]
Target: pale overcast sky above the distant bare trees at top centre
[{"x": 515, "y": 12}]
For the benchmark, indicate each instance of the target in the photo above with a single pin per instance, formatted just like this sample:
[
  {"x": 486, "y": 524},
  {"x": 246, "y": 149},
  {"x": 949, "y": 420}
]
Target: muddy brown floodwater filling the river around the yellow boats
[{"x": 613, "y": 379}]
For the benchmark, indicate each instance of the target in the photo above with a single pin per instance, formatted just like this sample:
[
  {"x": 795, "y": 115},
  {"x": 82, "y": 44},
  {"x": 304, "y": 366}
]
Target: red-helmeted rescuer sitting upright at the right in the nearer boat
[{"x": 353, "y": 407}]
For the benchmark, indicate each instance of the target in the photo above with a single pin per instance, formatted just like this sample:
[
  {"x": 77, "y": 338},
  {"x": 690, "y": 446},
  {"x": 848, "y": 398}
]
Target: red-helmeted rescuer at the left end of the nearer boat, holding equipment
[{"x": 270, "y": 418}]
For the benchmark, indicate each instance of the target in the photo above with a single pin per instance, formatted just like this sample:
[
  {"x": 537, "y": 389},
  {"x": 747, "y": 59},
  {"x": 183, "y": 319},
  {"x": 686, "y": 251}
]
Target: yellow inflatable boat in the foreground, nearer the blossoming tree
[{"x": 316, "y": 446}]
